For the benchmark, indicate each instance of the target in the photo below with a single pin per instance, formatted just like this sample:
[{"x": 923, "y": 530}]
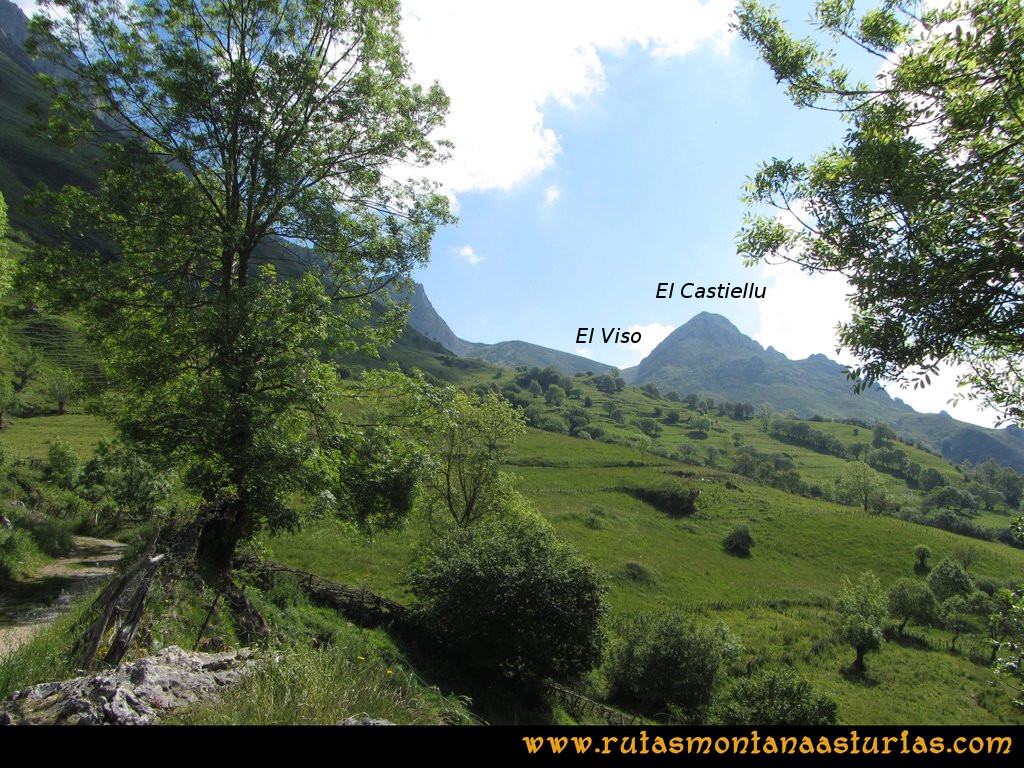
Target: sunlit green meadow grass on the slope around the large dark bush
[{"x": 779, "y": 601}]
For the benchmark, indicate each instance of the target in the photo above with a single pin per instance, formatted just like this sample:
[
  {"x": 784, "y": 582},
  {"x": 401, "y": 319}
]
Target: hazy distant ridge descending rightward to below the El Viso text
[{"x": 424, "y": 319}]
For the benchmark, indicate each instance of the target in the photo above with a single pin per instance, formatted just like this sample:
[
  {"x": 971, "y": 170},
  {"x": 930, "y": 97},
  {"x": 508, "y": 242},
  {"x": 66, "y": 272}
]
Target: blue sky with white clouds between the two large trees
[{"x": 601, "y": 152}]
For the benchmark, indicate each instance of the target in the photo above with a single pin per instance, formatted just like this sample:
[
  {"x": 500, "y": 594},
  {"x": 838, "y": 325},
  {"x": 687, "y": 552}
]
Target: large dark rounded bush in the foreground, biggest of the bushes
[{"x": 511, "y": 599}]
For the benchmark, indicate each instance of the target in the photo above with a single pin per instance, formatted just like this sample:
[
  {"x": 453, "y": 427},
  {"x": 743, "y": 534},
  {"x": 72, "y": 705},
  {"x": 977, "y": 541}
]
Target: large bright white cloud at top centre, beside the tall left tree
[{"x": 501, "y": 62}]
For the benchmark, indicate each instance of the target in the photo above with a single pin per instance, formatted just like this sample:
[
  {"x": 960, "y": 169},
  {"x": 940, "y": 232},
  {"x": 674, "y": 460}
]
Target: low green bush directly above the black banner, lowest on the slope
[{"x": 778, "y": 698}]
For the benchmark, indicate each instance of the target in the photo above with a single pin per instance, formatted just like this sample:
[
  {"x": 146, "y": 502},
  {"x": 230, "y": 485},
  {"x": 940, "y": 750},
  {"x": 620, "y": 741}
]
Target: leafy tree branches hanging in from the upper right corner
[{"x": 919, "y": 205}]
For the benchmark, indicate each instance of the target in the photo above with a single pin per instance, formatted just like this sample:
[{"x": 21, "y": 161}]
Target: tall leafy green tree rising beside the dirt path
[{"x": 244, "y": 225}]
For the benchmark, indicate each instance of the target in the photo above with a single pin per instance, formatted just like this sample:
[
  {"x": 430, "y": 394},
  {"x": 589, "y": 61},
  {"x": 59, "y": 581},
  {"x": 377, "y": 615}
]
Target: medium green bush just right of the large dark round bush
[{"x": 665, "y": 661}]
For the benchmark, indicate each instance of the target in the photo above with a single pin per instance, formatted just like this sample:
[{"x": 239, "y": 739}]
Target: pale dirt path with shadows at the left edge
[{"x": 32, "y": 605}]
